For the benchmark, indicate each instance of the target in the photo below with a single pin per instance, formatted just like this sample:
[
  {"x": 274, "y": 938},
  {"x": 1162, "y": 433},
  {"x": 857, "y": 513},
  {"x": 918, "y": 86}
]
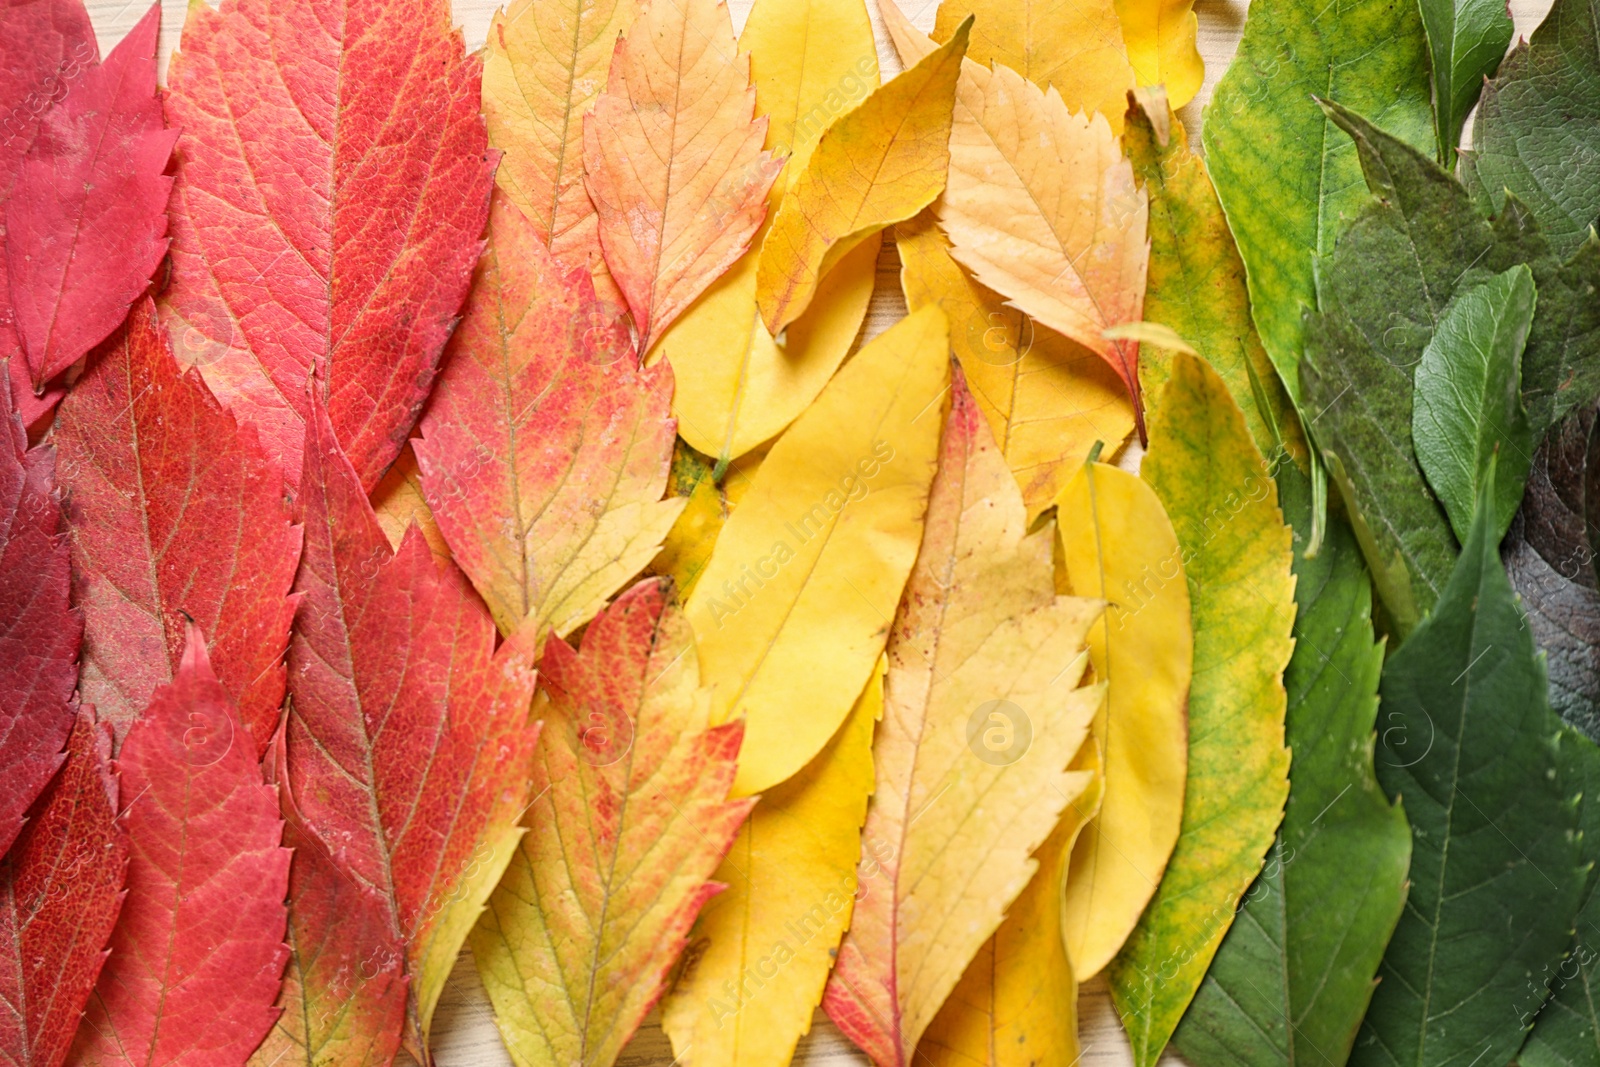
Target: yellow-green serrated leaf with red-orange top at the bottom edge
[{"x": 628, "y": 823}]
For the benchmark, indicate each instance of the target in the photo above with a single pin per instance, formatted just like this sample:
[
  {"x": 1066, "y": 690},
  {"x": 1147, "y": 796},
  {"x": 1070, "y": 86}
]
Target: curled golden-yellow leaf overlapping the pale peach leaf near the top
[{"x": 878, "y": 166}]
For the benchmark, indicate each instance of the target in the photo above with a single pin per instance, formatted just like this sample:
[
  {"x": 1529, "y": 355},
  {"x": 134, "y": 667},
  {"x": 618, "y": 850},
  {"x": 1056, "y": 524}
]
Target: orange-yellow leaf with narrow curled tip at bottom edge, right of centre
[{"x": 1018, "y": 1002}]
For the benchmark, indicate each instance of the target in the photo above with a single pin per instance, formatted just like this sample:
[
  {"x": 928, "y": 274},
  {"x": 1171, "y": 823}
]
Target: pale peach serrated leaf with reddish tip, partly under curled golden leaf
[{"x": 1042, "y": 207}]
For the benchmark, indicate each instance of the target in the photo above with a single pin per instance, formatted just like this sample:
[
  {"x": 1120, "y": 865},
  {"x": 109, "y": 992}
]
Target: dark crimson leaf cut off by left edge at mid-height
[{"x": 39, "y": 631}]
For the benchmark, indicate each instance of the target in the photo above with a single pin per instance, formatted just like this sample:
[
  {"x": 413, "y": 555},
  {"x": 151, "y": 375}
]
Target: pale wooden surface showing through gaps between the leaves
[{"x": 465, "y": 1033}]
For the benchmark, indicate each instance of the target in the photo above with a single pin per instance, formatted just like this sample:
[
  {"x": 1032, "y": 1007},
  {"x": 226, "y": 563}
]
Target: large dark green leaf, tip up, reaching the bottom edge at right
[{"x": 1471, "y": 746}]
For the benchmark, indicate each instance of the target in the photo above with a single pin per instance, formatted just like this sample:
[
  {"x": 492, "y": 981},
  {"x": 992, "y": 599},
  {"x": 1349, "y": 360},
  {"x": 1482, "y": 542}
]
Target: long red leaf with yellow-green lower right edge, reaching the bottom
[{"x": 409, "y": 741}]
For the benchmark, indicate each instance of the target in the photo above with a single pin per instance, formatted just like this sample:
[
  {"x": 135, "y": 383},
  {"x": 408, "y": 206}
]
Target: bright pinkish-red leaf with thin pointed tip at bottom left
[{"x": 199, "y": 951}]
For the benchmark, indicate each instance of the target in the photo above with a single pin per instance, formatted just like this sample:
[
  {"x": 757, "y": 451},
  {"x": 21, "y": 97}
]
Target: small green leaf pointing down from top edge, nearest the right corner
[{"x": 1466, "y": 41}]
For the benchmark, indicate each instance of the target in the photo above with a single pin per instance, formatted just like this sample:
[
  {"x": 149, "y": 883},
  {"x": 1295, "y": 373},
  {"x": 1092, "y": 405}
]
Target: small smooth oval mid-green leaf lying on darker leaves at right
[{"x": 1470, "y": 401}]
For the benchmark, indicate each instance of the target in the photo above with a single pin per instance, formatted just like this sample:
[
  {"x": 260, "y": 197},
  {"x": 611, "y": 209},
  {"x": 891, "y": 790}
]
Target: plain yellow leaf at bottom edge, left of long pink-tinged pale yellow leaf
[{"x": 762, "y": 949}]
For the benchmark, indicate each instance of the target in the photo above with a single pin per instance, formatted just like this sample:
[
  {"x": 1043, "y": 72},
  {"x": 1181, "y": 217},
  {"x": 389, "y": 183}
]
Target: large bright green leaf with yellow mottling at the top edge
[{"x": 1284, "y": 175}]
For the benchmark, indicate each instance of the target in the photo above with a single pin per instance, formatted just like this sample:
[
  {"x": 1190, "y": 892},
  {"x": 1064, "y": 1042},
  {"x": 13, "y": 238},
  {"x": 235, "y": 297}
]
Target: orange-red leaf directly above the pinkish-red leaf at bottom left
[{"x": 175, "y": 511}]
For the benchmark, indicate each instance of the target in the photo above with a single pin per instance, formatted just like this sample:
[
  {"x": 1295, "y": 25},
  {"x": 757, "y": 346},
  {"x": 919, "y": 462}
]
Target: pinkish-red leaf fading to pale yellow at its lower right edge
[{"x": 545, "y": 450}]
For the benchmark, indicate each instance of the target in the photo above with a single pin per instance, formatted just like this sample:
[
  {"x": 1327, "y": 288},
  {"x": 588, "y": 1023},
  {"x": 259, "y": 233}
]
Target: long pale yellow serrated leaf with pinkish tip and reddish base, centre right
[{"x": 983, "y": 714}]
